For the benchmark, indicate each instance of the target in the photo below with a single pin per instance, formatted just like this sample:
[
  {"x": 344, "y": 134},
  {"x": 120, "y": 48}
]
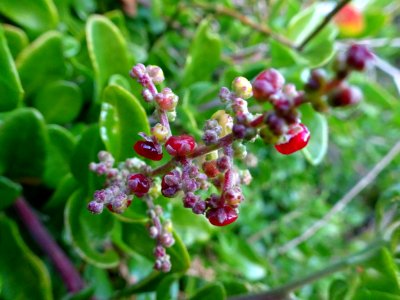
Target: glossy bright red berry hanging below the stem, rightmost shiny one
[{"x": 298, "y": 137}]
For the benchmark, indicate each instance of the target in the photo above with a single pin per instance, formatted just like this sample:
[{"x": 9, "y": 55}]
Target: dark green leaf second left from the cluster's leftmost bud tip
[{"x": 60, "y": 147}]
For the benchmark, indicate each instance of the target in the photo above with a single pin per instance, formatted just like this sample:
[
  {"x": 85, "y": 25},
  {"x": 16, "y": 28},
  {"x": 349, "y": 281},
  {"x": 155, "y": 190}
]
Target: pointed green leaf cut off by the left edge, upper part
[{"x": 11, "y": 91}]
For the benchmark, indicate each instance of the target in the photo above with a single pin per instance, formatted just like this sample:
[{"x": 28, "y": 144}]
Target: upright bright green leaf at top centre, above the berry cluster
[{"x": 204, "y": 55}]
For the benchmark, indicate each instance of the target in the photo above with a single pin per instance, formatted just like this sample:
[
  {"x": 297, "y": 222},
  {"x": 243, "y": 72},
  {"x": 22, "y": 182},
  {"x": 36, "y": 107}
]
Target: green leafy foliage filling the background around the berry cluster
[{"x": 65, "y": 94}]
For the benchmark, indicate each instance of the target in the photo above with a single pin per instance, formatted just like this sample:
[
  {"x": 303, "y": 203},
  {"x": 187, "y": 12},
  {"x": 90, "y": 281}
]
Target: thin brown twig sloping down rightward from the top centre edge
[{"x": 222, "y": 10}]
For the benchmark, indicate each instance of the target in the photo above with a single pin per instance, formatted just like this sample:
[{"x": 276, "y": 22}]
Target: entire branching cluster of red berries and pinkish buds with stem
[{"x": 203, "y": 173}]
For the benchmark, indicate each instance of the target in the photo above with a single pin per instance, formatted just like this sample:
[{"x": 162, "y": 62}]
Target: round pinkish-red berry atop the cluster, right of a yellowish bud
[{"x": 267, "y": 83}]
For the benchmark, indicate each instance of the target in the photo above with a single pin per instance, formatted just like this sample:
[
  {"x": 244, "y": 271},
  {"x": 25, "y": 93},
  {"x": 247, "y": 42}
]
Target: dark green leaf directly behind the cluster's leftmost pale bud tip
[{"x": 85, "y": 152}]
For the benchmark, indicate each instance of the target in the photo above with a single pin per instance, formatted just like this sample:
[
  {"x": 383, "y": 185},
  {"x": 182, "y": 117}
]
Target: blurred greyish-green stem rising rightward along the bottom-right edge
[{"x": 353, "y": 260}]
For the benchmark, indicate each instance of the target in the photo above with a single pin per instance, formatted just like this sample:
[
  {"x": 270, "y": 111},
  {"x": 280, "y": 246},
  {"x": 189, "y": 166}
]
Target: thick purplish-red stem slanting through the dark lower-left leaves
[{"x": 44, "y": 240}]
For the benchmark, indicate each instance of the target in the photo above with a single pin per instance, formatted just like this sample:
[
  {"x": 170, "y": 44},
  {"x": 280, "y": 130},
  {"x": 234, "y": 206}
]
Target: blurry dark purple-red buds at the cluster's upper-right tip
[{"x": 323, "y": 93}]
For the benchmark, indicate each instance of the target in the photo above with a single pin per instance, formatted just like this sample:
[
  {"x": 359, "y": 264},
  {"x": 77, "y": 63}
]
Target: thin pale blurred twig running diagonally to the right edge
[{"x": 346, "y": 199}]
